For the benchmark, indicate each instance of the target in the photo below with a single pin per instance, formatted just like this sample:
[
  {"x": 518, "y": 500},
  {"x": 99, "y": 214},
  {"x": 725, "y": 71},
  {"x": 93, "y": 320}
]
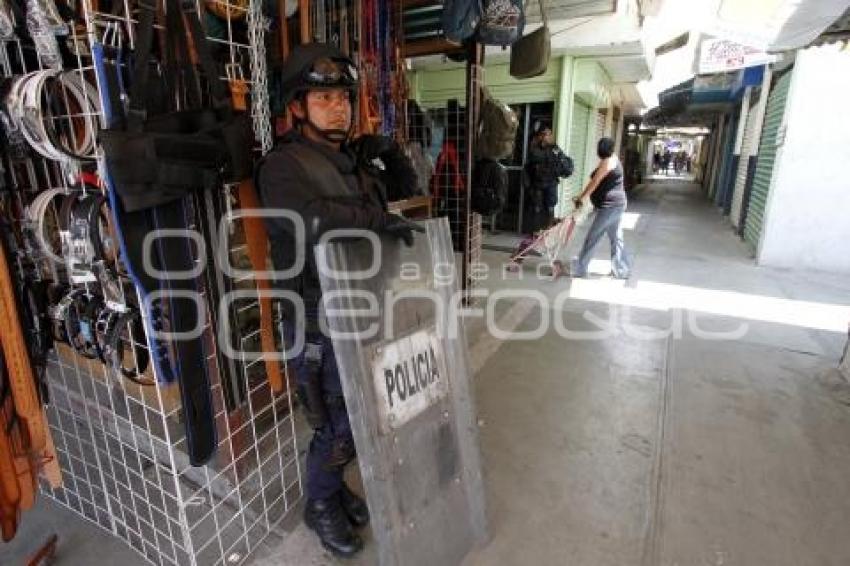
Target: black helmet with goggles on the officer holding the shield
[{"x": 316, "y": 66}]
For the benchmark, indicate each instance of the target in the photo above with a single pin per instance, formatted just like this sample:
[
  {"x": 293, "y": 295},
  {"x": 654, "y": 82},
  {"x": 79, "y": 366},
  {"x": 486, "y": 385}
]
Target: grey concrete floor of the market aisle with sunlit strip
[{"x": 703, "y": 428}]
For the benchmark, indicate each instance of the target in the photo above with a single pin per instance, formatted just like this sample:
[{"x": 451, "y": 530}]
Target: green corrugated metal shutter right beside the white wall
[{"x": 767, "y": 158}]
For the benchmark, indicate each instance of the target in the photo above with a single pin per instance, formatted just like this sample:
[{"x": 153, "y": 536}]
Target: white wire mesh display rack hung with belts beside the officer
[{"x": 121, "y": 445}]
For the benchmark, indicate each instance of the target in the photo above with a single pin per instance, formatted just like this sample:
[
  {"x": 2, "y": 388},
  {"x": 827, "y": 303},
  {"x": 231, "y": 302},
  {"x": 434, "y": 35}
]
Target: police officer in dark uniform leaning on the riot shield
[{"x": 314, "y": 173}]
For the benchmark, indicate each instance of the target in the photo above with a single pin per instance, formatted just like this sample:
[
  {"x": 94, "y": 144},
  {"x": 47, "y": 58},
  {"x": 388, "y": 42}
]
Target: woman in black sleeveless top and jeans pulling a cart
[{"x": 608, "y": 196}]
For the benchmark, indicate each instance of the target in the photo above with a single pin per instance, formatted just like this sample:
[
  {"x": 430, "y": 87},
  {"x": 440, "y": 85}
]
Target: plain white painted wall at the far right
[{"x": 807, "y": 221}]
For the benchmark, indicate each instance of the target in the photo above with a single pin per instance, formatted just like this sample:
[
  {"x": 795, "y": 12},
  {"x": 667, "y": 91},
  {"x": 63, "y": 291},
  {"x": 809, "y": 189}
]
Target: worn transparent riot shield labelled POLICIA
[{"x": 393, "y": 314}]
